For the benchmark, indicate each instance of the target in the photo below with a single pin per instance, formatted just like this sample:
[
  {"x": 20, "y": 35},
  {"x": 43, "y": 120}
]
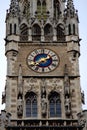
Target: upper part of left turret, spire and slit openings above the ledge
[{"x": 12, "y": 21}]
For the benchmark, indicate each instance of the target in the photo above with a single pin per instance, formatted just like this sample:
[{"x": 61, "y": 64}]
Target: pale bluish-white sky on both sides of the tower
[{"x": 81, "y": 6}]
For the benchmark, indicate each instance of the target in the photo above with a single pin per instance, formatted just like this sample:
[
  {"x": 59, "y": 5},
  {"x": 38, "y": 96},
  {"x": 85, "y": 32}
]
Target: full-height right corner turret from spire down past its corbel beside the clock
[{"x": 72, "y": 34}]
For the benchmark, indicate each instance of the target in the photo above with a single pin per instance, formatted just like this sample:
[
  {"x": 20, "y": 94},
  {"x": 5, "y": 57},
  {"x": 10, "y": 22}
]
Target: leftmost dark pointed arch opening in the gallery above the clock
[{"x": 23, "y": 32}]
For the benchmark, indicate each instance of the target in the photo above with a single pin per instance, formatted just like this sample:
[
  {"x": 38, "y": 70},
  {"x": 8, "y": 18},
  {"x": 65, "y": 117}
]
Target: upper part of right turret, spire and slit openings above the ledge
[{"x": 71, "y": 19}]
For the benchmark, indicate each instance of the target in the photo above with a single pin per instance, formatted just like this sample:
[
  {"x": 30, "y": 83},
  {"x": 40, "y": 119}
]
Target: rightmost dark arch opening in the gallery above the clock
[{"x": 60, "y": 33}]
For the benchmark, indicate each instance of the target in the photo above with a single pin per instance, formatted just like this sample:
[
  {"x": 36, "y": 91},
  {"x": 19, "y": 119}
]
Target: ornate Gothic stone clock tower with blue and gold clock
[{"x": 43, "y": 81}]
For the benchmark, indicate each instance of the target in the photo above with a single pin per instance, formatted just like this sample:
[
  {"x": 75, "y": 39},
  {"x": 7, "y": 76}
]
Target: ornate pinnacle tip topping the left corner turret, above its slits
[{"x": 14, "y": 8}]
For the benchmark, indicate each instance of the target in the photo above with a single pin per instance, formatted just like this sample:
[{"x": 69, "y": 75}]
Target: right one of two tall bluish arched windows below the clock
[{"x": 54, "y": 104}]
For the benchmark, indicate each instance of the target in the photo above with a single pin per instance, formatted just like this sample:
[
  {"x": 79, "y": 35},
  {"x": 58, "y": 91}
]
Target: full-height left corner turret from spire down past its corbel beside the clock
[{"x": 12, "y": 37}]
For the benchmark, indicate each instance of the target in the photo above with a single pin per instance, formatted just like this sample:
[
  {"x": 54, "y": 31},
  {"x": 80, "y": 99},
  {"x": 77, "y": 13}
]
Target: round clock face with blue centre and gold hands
[{"x": 43, "y": 60}]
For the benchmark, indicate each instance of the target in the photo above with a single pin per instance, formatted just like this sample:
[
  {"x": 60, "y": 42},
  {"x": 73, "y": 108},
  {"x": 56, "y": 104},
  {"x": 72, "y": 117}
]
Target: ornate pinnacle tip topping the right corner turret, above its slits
[{"x": 70, "y": 8}]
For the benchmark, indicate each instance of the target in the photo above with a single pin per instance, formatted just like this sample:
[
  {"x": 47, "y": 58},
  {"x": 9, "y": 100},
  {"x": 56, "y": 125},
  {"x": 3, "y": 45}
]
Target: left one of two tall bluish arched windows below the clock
[{"x": 31, "y": 104}]
